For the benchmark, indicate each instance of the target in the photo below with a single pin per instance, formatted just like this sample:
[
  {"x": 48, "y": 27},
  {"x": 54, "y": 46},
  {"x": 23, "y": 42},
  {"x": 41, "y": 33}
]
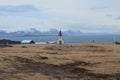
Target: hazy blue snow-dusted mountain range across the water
[{"x": 35, "y": 32}]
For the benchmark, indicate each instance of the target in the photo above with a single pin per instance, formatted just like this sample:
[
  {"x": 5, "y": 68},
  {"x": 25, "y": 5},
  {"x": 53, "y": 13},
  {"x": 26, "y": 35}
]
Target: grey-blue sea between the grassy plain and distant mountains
[{"x": 67, "y": 39}]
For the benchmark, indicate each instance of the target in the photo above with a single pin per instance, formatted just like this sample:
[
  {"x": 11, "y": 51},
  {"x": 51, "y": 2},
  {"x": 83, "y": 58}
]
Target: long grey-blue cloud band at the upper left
[{"x": 18, "y": 8}]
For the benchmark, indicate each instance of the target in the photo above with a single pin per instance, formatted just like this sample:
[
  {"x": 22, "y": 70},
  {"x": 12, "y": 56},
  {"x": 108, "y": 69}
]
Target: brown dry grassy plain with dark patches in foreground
[{"x": 82, "y": 61}]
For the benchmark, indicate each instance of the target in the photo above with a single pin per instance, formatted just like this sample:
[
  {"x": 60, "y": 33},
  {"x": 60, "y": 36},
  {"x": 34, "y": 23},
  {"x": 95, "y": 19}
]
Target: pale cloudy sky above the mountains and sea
[{"x": 88, "y": 16}]
